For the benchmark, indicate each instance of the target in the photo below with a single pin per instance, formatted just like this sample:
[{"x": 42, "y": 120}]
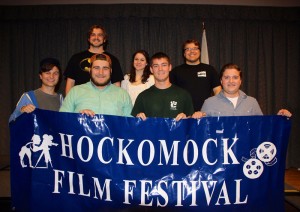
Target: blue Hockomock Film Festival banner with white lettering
[{"x": 72, "y": 162}]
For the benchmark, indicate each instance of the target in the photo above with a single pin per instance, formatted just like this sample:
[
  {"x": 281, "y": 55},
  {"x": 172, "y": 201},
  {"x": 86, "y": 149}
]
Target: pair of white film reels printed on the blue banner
[{"x": 265, "y": 153}]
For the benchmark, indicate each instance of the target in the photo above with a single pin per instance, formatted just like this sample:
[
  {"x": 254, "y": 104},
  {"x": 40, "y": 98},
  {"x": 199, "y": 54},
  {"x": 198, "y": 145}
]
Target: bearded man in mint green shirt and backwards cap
[{"x": 98, "y": 96}]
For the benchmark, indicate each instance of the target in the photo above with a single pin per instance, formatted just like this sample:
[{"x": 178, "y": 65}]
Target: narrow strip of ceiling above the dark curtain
[{"x": 274, "y": 3}]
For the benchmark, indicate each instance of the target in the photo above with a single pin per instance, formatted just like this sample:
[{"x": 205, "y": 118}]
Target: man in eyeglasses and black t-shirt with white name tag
[{"x": 199, "y": 79}]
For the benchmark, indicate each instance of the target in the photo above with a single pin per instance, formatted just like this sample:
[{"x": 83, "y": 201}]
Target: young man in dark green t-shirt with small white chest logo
[{"x": 163, "y": 99}]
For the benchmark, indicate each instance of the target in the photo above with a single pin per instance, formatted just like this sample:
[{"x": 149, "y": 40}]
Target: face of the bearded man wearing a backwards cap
[{"x": 100, "y": 73}]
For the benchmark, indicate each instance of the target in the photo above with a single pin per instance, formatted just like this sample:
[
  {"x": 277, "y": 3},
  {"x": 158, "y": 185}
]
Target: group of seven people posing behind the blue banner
[{"x": 95, "y": 85}]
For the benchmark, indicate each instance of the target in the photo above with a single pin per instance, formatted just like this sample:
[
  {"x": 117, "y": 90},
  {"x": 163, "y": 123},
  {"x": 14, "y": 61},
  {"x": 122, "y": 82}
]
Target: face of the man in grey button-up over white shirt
[{"x": 231, "y": 82}]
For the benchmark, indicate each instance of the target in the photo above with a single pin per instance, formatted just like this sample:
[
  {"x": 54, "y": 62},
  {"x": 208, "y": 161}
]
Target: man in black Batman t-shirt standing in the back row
[{"x": 77, "y": 71}]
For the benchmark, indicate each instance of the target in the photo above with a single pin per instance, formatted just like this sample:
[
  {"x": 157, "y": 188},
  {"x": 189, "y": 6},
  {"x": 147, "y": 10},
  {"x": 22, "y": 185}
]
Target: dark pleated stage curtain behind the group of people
[{"x": 263, "y": 41}]
